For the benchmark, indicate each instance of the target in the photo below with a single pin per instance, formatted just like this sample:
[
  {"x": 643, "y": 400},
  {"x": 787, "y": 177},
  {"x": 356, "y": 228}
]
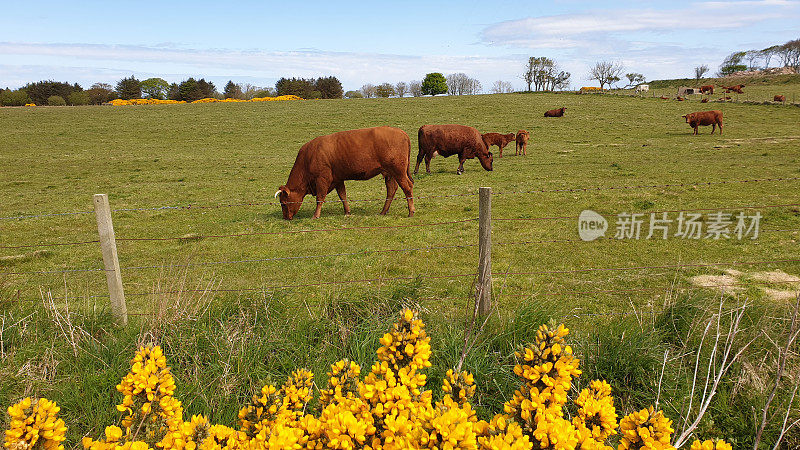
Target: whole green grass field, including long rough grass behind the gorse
[{"x": 232, "y": 157}]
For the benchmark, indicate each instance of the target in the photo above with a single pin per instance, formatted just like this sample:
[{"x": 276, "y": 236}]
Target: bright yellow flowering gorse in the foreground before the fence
[{"x": 388, "y": 408}]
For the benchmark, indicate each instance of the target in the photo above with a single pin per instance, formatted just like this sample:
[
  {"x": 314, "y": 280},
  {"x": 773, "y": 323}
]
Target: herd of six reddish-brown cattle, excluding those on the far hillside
[{"x": 326, "y": 162}]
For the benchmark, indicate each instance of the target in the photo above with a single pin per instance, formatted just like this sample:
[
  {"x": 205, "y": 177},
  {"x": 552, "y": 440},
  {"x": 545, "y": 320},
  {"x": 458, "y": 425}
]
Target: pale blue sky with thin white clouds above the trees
[{"x": 373, "y": 42}]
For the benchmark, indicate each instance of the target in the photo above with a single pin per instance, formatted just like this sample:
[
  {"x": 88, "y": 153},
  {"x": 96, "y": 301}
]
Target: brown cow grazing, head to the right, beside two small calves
[{"x": 447, "y": 140}]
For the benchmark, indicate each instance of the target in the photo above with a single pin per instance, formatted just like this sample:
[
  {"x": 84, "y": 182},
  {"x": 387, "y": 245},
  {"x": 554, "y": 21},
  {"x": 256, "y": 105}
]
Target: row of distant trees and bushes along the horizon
[{"x": 540, "y": 74}]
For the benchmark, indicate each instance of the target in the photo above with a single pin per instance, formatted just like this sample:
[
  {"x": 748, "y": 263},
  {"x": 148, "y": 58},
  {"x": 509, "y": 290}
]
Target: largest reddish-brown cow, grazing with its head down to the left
[{"x": 324, "y": 163}]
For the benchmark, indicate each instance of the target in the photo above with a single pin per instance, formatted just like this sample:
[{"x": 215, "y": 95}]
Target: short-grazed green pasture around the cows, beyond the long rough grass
[{"x": 53, "y": 159}]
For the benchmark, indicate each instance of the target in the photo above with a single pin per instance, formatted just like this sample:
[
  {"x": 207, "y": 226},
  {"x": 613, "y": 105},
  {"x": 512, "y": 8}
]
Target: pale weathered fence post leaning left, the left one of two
[{"x": 109, "y": 247}]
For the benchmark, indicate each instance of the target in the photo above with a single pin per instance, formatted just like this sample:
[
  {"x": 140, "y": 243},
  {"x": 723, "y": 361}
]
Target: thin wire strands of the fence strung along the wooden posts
[{"x": 384, "y": 280}]
